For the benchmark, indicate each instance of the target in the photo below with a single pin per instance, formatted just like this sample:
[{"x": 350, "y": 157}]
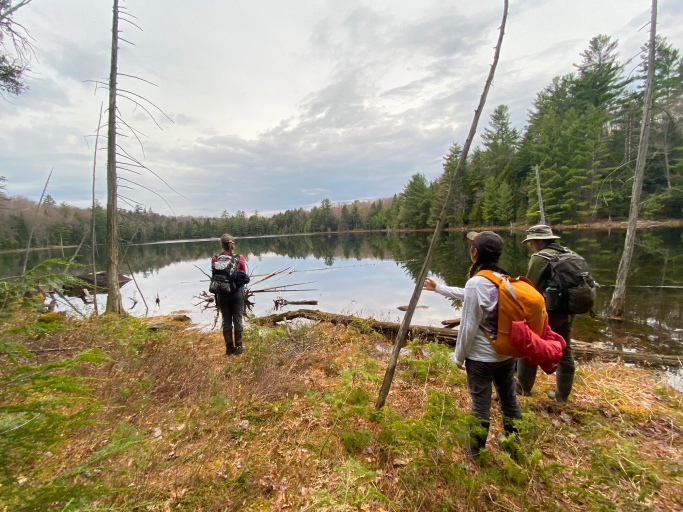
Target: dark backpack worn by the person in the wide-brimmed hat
[{"x": 571, "y": 289}]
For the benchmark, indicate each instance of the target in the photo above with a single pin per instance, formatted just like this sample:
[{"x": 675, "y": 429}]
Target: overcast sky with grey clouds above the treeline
[{"x": 281, "y": 104}]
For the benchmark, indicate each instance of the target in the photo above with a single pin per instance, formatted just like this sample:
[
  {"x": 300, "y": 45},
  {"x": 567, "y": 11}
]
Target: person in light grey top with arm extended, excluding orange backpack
[{"x": 473, "y": 352}]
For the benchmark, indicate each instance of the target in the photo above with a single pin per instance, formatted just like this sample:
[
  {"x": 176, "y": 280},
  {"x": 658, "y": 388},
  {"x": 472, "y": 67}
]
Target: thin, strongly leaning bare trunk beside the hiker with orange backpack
[{"x": 405, "y": 325}]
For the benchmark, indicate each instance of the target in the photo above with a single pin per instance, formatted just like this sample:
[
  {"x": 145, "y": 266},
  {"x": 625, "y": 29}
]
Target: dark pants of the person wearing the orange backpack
[{"x": 480, "y": 375}]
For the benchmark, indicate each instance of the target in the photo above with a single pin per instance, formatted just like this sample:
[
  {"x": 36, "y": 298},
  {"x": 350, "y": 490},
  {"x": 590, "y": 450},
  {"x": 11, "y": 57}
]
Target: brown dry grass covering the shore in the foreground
[{"x": 263, "y": 431}]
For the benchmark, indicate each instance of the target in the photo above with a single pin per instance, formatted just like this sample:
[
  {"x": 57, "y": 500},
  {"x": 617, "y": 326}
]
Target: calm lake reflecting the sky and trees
[{"x": 372, "y": 274}]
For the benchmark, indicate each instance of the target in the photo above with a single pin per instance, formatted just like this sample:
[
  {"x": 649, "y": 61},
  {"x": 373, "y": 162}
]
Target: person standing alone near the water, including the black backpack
[{"x": 229, "y": 295}]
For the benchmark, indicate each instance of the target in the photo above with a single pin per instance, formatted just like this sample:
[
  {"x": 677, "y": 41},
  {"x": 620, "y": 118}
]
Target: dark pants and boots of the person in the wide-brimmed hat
[{"x": 526, "y": 374}]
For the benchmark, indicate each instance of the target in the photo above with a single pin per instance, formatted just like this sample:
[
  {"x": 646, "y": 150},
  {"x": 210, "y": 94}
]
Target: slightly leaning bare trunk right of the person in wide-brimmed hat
[{"x": 619, "y": 296}]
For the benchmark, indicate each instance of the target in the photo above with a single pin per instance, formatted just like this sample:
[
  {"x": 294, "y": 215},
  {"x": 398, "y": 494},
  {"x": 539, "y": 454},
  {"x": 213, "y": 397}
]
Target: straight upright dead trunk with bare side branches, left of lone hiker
[{"x": 112, "y": 238}]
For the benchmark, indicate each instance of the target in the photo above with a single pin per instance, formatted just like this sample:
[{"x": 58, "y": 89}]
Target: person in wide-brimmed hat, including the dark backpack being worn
[{"x": 555, "y": 272}]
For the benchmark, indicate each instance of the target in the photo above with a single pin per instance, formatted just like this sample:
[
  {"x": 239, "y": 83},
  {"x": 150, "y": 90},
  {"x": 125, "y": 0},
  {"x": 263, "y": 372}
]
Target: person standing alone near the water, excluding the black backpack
[{"x": 231, "y": 305}]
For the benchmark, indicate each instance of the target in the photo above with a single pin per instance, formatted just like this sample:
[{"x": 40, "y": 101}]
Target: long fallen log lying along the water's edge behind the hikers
[{"x": 449, "y": 337}]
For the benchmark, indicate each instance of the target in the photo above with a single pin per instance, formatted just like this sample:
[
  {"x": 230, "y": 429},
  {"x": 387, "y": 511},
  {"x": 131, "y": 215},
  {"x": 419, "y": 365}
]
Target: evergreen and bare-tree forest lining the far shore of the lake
[{"x": 582, "y": 131}]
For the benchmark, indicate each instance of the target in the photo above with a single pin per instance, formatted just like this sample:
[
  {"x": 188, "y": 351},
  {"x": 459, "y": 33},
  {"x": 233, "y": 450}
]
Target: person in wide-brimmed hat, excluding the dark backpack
[{"x": 543, "y": 243}]
